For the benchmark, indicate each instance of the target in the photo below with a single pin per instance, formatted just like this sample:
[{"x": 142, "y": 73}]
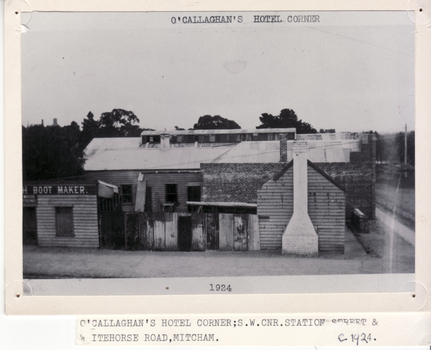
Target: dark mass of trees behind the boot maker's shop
[{"x": 54, "y": 152}]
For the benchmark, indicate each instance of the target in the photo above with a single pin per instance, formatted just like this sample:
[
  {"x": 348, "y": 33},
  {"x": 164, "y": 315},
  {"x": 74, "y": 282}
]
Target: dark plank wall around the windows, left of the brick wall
[{"x": 156, "y": 181}]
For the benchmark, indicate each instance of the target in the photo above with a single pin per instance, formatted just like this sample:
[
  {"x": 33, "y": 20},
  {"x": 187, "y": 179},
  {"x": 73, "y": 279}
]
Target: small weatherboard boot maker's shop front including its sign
[{"x": 60, "y": 214}]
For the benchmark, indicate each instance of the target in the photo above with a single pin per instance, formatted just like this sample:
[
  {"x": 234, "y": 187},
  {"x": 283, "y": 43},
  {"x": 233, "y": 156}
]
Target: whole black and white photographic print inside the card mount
[{"x": 245, "y": 149}]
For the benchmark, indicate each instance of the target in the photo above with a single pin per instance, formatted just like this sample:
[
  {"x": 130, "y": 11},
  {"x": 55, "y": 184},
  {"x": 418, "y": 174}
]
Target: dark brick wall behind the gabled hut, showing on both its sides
[{"x": 240, "y": 182}]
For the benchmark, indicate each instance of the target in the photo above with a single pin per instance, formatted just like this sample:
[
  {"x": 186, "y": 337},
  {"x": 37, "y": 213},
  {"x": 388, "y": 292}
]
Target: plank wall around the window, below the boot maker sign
[{"x": 85, "y": 223}]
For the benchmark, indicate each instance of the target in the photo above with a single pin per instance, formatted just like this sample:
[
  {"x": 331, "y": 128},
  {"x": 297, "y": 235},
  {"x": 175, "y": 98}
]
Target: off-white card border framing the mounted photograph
[{"x": 244, "y": 303}]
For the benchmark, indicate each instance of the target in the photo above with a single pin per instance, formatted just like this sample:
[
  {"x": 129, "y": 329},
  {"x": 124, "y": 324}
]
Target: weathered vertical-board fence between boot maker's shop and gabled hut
[{"x": 191, "y": 231}]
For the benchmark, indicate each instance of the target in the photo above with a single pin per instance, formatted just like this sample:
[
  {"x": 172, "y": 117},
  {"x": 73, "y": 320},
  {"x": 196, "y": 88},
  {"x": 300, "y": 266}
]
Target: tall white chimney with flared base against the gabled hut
[{"x": 300, "y": 237}]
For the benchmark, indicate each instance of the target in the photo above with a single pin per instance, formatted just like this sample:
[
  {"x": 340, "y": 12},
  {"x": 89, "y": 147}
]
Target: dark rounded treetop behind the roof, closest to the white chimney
[{"x": 286, "y": 119}]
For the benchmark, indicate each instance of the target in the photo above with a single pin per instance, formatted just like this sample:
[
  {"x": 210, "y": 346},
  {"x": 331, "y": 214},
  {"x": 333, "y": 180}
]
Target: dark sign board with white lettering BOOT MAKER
[{"x": 30, "y": 192}]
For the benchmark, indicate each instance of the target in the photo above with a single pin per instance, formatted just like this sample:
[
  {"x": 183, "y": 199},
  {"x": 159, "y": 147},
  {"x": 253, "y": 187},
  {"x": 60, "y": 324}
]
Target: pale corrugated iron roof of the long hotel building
[{"x": 128, "y": 153}]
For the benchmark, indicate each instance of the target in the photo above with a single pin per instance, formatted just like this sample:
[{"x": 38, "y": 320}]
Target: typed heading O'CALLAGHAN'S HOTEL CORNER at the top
[{"x": 196, "y": 18}]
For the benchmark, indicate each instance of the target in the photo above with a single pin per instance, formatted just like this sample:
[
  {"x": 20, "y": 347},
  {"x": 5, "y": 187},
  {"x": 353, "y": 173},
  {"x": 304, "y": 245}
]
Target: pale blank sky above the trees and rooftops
[{"x": 349, "y": 71}]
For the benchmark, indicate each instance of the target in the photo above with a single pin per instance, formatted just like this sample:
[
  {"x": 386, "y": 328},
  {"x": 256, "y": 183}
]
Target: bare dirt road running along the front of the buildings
[{"x": 45, "y": 262}]
